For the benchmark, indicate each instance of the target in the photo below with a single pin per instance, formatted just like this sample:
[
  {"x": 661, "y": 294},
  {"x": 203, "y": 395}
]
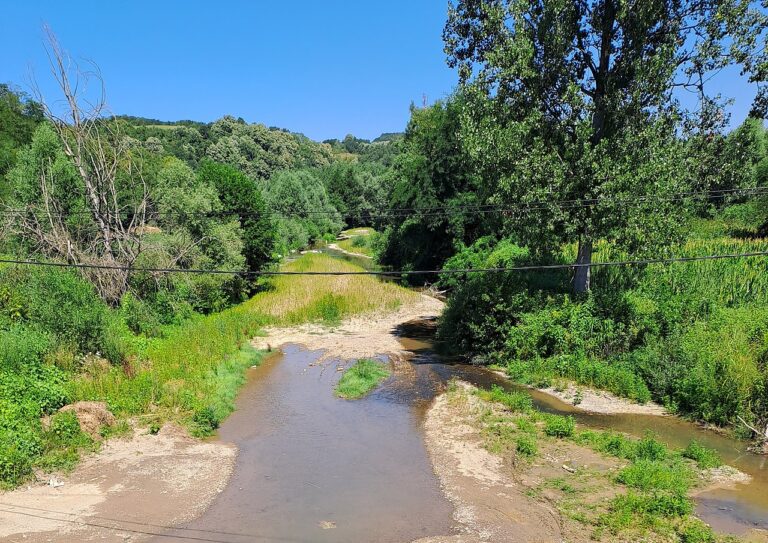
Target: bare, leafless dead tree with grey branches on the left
[{"x": 91, "y": 140}]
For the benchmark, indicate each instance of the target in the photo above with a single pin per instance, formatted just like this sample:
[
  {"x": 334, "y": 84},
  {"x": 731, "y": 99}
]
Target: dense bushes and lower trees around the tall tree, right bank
[{"x": 689, "y": 335}]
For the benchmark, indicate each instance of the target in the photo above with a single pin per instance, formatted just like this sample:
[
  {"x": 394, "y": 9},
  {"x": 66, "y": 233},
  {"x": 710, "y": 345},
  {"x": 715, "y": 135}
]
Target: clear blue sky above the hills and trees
[{"x": 324, "y": 68}]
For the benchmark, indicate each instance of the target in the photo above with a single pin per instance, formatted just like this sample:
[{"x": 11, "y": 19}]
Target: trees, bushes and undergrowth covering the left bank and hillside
[{"x": 181, "y": 196}]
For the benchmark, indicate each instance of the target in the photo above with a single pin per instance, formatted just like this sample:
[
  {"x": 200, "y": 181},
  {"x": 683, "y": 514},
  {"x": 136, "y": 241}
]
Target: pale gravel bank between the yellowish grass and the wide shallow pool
[{"x": 358, "y": 337}]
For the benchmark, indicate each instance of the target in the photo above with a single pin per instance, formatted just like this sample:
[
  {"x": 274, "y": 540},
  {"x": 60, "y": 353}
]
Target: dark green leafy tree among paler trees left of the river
[{"x": 241, "y": 197}]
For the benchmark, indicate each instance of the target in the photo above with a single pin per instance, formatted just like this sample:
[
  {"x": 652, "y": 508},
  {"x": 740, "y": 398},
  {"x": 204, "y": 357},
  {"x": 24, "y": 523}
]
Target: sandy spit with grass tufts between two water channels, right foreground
[{"x": 514, "y": 474}]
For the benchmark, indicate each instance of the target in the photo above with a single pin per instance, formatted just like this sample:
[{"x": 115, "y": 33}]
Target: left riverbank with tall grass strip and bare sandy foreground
[{"x": 188, "y": 381}]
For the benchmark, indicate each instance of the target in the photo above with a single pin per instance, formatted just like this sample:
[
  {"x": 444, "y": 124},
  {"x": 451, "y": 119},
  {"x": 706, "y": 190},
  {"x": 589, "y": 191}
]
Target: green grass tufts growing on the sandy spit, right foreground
[{"x": 646, "y": 497}]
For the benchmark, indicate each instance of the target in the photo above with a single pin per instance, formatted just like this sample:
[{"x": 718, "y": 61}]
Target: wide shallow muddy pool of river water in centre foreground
[{"x": 316, "y": 468}]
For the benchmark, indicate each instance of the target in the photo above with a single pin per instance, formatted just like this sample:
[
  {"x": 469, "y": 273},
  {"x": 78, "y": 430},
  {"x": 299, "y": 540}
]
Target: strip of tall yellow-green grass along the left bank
[{"x": 193, "y": 373}]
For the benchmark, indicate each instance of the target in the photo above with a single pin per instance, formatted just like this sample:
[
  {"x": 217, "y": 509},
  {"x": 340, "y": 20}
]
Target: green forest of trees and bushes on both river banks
[{"x": 541, "y": 158}]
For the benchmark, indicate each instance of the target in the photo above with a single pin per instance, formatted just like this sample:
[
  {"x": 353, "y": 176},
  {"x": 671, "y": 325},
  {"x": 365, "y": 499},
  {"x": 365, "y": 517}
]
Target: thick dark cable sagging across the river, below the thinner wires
[{"x": 268, "y": 273}]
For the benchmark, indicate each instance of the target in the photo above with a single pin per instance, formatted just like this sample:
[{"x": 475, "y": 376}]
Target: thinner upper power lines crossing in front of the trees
[{"x": 432, "y": 211}]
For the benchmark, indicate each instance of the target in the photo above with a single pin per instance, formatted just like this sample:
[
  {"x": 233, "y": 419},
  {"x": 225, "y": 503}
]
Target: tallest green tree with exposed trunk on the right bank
[{"x": 575, "y": 100}]
